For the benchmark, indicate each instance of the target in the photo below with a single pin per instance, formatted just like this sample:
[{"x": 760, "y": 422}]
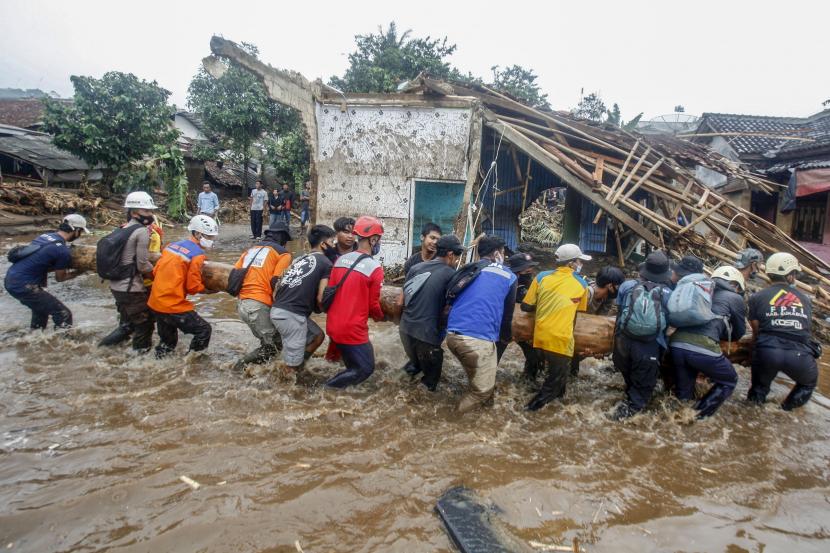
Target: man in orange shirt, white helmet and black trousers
[{"x": 176, "y": 275}]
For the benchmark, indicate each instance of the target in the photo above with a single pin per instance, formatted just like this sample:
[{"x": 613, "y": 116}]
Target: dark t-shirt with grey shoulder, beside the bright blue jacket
[{"x": 422, "y": 311}]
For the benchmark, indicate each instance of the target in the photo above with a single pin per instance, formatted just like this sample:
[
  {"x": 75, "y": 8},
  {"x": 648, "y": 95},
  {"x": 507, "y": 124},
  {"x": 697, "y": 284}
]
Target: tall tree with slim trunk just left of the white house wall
[{"x": 236, "y": 107}]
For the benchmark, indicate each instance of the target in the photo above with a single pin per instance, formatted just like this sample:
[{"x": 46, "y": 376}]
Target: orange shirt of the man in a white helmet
[{"x": 177, "y": 274}]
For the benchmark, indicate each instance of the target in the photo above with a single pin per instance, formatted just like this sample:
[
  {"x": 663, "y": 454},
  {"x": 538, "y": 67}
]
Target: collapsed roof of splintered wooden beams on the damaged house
[{"x": 604, "y": 164}]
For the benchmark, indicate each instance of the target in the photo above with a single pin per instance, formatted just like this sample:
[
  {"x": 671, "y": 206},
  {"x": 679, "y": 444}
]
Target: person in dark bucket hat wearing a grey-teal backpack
[{"x": 640, "y": 332}]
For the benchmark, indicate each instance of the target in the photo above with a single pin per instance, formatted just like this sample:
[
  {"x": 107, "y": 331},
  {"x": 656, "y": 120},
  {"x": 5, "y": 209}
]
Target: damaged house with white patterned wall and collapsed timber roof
[{"x": 475, "y": 160}]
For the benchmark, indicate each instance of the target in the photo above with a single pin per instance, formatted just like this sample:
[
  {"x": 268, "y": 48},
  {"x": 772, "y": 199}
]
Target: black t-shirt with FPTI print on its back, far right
[{"x": 784, "y": 316}]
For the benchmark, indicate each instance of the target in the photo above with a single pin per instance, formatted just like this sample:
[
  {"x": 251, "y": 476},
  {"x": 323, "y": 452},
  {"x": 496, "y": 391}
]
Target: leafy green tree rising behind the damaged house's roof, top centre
[{"x": 384, "y": 60}]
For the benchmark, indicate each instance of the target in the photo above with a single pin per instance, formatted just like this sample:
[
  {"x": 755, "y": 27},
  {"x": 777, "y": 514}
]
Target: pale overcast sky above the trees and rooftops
[{"x": 761, "y": 57}]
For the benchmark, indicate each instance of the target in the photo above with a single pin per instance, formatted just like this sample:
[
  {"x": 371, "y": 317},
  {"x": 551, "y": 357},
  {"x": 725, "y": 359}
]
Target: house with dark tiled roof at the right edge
[{"x": 794, "y": 152}]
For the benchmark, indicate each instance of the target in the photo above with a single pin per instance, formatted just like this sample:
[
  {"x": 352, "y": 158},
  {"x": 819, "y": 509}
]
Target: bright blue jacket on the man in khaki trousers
[{"x": 484, "y": 309}]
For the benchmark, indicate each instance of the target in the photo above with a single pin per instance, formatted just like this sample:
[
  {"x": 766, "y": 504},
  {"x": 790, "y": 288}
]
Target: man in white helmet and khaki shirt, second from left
[{"x": 135, "y": 318}]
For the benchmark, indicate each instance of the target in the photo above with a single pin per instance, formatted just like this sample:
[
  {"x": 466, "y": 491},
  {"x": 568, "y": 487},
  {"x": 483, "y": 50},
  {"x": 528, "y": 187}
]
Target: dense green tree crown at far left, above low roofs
[{"x": 114, "y": 121}]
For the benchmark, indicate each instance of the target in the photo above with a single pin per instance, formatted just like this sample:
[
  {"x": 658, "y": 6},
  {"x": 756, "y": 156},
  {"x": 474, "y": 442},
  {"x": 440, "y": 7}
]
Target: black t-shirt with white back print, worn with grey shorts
[{"x": 300, "y": 282}]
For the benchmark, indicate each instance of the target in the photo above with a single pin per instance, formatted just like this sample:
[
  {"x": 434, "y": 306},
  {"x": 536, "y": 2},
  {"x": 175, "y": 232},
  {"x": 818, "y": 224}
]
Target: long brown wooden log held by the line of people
[{"x": 593, "y": 334}]
